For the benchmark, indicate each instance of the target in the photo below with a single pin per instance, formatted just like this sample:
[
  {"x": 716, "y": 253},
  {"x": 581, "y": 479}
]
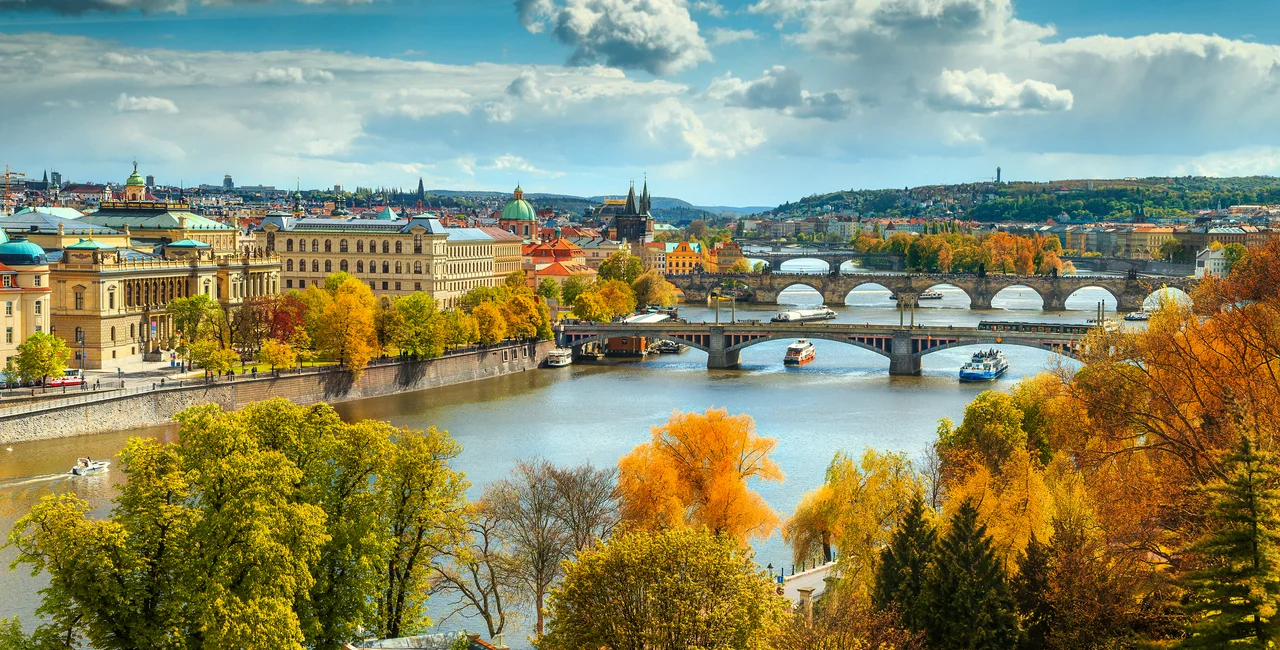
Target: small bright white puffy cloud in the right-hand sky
[{"x": 981, "y": 91}]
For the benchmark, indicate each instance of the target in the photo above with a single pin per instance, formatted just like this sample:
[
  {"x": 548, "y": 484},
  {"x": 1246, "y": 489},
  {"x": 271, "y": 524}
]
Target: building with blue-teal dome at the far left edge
[{"x": 24, "y": 294}]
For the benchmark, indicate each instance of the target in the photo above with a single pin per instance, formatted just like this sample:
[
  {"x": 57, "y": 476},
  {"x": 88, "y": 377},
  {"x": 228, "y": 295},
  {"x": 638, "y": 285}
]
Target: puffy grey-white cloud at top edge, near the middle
[{"x": 659, "y": 36}]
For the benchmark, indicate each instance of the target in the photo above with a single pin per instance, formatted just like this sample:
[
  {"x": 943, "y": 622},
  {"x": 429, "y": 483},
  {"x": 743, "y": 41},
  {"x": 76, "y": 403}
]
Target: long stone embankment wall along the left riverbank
[{"x": 158, "y": 408}]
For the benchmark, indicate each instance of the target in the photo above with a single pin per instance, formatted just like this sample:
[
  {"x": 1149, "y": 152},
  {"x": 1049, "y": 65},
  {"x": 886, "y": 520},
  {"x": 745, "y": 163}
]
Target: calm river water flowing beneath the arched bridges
[{"x": 843, "y": 401}]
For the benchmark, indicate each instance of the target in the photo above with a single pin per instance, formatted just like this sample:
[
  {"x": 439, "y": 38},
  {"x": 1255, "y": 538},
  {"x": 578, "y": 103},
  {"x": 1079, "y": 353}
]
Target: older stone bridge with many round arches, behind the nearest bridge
[{"x": 1130, "y": 292}]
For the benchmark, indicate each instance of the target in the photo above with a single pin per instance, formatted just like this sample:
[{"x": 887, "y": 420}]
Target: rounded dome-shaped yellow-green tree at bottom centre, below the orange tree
[{"x": 664, "y": 589}]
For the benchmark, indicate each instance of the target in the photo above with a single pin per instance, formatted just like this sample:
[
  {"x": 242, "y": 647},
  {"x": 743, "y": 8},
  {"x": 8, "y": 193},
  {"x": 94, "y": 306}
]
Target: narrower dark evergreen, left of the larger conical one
[{"x": 904, "y": 567}]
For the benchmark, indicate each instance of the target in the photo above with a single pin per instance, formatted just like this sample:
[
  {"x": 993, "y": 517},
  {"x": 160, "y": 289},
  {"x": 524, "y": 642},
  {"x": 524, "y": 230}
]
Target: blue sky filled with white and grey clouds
[{"x": 715, "y": 102}]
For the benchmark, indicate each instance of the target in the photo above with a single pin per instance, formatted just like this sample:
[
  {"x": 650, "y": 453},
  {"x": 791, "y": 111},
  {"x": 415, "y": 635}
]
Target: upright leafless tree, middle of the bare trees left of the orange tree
[{"x": 525, "y": 507}]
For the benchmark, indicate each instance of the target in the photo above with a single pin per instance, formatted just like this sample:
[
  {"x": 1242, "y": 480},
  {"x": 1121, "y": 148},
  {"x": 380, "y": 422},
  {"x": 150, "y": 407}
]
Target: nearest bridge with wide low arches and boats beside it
[{"x": 903, "y": 346}]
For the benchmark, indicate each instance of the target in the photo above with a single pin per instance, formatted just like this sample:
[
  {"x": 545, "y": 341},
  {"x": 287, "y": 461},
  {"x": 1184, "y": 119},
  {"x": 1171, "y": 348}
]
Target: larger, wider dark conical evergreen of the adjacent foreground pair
[{"x": 970, "y": 601}]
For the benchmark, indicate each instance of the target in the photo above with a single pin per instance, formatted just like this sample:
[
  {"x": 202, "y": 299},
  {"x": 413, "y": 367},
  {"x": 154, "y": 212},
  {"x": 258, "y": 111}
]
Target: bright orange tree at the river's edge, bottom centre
[{"x": 696, "y": 472}]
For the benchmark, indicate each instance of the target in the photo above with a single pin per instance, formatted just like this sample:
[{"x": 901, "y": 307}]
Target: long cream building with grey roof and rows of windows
[{"x": 395, "y": 257}]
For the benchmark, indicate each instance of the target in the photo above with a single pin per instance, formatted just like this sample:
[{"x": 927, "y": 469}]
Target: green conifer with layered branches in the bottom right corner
[{"x": 1237, "y": 592}]
